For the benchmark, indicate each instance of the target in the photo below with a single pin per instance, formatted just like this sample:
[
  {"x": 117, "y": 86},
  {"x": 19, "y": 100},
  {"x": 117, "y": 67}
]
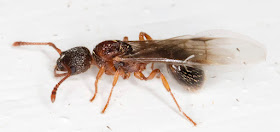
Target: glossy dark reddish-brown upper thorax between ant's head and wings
[{"x": 107, "y": 50}]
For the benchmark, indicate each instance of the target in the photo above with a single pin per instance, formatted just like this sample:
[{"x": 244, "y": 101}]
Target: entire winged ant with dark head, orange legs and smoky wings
[{"x": 184, "y": 56}]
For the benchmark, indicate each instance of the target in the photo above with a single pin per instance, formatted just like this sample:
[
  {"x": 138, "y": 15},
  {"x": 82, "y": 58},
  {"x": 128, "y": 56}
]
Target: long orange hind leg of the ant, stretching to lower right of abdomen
[{"x": 141, "y": 76}]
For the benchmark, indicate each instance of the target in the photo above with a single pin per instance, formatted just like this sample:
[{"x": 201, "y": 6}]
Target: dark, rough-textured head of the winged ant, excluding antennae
[{"x": 77, "y": 60}]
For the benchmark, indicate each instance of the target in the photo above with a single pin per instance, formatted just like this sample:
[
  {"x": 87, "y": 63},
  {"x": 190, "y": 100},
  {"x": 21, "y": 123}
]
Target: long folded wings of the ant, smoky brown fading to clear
[{"x": 198, "y": 50}]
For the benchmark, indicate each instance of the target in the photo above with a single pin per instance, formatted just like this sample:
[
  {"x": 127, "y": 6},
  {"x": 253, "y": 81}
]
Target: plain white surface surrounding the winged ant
[{"x": 246, "y": 100}]
